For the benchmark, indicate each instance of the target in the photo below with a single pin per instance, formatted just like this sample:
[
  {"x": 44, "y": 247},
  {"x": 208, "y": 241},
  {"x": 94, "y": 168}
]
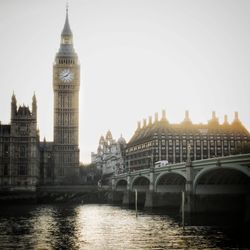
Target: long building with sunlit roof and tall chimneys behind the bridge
[{"x": 161, "y": 140}]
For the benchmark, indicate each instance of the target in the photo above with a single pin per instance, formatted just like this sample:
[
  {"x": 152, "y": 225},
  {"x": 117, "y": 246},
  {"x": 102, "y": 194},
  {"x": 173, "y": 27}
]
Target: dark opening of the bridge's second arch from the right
[{"x": 171, "y": 182}]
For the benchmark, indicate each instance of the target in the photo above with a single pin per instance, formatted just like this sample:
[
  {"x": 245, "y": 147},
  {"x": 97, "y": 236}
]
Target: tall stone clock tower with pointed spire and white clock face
[{"x": 66, "y": 84}]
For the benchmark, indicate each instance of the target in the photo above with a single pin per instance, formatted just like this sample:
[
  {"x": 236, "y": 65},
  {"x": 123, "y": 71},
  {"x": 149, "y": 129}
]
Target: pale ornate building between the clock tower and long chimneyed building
[{"x": 110, "y": 155}]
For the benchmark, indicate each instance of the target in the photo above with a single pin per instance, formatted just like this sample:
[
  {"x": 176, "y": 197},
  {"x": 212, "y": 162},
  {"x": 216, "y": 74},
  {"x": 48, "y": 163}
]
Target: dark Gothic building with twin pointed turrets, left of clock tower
[{"x": 19, "y": 148}]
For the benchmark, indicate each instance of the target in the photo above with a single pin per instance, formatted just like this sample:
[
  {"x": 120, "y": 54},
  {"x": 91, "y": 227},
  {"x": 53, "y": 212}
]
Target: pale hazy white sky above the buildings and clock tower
[{"x": 137, "y": 57}]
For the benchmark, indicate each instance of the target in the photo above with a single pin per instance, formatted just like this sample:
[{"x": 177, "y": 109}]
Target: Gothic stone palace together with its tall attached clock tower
[{"x": 25, "y": 162}]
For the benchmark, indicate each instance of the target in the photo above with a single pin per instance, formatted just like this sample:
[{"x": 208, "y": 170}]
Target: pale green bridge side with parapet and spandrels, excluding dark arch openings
[{"x": 190, "y": 171}]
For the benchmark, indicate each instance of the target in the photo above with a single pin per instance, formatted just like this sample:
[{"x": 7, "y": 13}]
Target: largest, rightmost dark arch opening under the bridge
[{"x": 221, "y": 180}]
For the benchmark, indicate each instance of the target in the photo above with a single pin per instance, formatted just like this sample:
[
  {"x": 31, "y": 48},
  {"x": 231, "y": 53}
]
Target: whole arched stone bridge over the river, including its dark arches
[{"x": 215, "y": 184}]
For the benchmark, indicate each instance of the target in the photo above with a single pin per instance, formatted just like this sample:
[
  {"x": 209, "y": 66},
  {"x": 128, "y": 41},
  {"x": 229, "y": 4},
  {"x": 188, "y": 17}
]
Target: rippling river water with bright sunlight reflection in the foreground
[{"x": 102, "y": 227}]
